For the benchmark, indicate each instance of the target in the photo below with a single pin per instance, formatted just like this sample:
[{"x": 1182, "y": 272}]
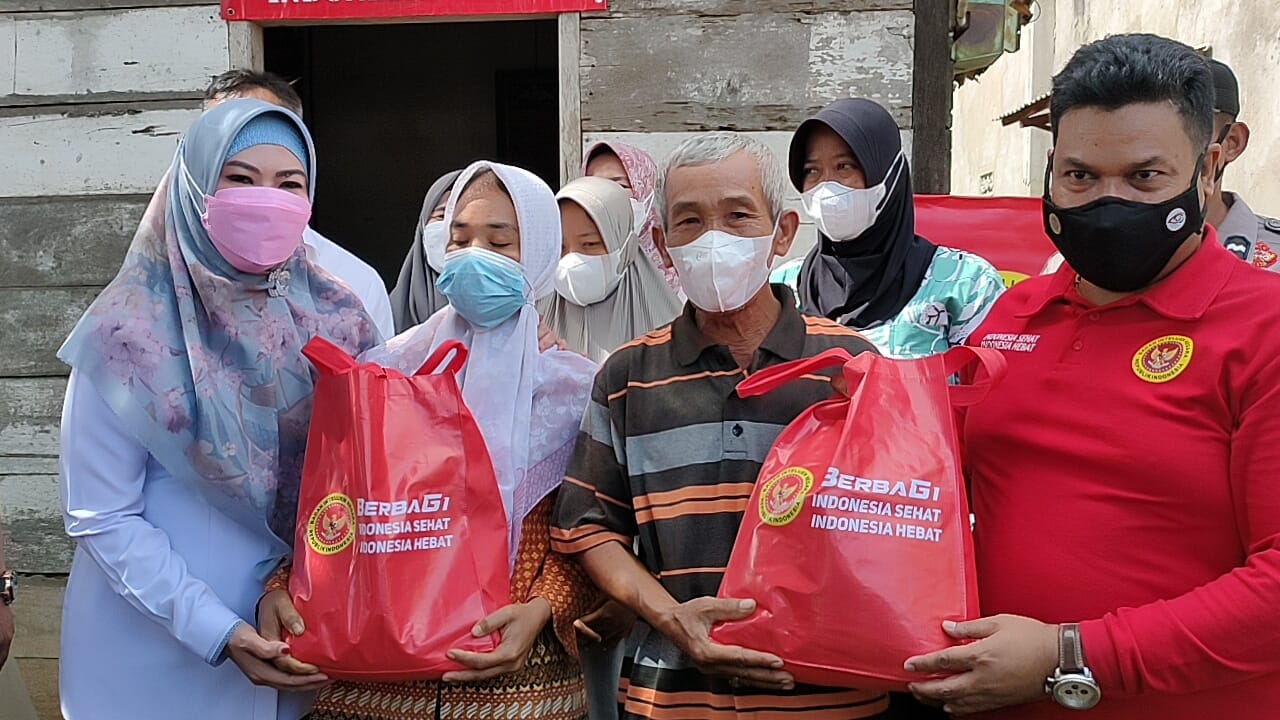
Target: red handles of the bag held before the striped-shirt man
[{"x": 856, "y": 371}]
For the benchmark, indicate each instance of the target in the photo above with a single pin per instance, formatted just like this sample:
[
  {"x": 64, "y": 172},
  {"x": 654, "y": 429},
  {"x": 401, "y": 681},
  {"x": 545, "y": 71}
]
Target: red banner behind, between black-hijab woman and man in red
[{"x": 1009, "y": 233}]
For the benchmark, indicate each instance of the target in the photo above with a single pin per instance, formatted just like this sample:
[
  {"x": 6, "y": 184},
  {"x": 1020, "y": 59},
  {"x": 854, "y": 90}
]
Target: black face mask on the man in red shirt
[{"x": 1122, "y": 245}]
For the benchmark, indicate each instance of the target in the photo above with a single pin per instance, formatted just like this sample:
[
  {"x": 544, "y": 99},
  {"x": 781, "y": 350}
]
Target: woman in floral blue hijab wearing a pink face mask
[{"x": 185, "y": 427}]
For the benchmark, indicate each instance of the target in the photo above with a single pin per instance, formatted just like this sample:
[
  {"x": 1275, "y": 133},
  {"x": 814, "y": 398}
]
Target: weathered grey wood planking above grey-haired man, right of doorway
[{"x": 655, "y": 66}]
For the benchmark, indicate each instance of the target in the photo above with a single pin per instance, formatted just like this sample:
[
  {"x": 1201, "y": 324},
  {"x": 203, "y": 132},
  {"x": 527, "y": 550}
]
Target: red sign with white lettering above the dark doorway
[{"x": 275, "y": 11}]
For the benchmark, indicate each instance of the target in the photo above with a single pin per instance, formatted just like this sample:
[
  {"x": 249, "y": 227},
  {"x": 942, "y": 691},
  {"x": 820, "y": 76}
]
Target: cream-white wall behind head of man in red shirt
[{"x": 1244, "y": 35}]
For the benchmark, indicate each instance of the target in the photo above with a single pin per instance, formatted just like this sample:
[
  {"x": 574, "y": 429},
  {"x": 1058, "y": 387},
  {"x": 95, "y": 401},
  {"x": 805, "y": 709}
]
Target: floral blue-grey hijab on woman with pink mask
[{"x": 203, "y": 363}]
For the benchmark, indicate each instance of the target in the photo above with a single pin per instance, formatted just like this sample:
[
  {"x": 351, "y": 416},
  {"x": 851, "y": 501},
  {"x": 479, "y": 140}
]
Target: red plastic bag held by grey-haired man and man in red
[{"x": 856, "y": 544}]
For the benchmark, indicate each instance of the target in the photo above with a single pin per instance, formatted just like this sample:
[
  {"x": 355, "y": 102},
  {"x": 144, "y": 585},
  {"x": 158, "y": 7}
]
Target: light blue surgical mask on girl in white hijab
[{"x": 483, "y": 286}]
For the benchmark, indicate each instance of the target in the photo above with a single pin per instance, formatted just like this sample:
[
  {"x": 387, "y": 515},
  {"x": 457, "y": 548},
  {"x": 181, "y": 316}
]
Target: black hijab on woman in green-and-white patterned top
[{"x": 868, "y": 280}]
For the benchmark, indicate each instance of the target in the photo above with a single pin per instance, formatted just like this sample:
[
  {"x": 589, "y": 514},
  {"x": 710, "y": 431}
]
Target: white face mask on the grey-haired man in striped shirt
[{"x": 723, "y": 272}]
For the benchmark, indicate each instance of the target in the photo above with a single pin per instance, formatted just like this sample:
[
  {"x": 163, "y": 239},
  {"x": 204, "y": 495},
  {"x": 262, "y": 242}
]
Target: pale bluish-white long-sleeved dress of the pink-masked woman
[{"x": 159, "y": 581}]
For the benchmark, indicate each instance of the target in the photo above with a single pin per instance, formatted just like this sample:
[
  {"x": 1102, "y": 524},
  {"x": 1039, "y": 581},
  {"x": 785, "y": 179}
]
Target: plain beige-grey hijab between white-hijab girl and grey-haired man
[{"x": 643, "y": 299}]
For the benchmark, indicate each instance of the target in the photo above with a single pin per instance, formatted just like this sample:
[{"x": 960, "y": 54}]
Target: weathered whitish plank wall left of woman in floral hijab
[{"x": 94, "y": 97}]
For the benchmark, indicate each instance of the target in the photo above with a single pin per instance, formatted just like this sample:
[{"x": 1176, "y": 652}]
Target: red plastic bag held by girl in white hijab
[{"x": 401, "y": 543}]
